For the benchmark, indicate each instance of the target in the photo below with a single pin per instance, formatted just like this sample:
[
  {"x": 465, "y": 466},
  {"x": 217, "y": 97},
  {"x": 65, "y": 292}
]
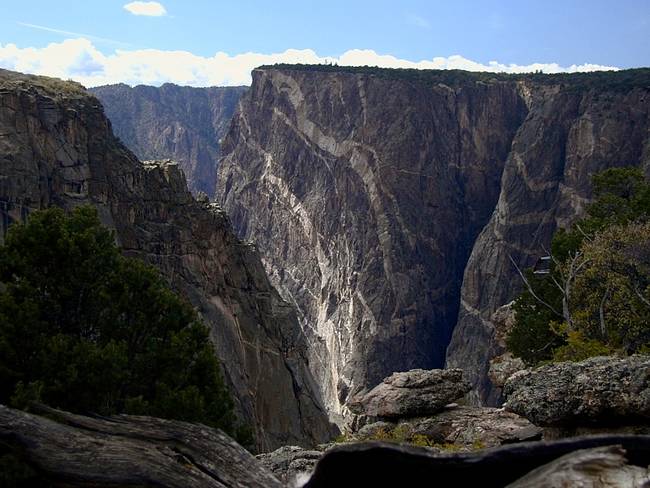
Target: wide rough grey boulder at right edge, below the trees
[{"x": 597, "y": 391}]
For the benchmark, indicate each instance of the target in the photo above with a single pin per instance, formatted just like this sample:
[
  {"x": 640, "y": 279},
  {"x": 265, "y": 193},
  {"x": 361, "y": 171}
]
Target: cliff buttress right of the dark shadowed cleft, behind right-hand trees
[{"x": 569, "y": 135}]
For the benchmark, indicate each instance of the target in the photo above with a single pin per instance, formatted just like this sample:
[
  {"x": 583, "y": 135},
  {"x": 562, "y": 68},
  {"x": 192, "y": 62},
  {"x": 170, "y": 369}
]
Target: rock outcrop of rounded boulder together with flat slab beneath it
[{"x": 415, "y": 407}]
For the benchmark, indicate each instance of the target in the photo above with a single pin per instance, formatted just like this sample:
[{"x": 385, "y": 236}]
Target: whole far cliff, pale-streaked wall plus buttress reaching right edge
[{"x": 366, "y": 192}]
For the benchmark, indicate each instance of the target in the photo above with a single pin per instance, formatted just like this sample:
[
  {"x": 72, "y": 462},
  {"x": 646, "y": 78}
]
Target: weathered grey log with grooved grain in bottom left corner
[{"x": 72, "y": 450}]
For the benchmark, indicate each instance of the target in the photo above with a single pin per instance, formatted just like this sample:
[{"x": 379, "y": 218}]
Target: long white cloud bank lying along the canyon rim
[{"x": 80, "y": 60}]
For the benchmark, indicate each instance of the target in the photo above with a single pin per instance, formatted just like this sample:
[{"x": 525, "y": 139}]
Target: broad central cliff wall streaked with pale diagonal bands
[{"x": 364, "y": 196}]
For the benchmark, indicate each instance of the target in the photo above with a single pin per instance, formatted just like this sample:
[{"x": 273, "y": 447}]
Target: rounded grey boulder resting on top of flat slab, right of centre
[{"x": 412, "y": 393}]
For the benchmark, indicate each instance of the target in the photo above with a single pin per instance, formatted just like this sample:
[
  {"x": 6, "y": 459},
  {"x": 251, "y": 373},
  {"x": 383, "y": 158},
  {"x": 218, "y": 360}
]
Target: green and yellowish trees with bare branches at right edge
[{"x": 596, "y": 298}]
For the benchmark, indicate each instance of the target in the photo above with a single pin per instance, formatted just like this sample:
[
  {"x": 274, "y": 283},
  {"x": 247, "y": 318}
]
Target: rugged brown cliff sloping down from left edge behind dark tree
[{"x": 57, "y": 148}]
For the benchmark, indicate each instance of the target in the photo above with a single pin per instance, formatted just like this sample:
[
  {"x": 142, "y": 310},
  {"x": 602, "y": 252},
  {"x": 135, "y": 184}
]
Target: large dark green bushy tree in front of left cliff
[{"x": 85, "y": 329}]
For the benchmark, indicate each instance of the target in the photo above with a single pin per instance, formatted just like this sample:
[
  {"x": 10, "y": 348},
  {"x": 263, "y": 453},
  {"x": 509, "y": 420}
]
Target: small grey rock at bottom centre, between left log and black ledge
[{"x": 292, "y": 465}]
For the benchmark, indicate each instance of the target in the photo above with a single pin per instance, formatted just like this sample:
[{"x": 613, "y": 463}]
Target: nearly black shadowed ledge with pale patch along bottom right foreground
[{"x": 389, "y": 465}]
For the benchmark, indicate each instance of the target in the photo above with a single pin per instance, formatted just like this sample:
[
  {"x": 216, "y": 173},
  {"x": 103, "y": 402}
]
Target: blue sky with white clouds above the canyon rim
[{"x": 519, "y": 33}]
